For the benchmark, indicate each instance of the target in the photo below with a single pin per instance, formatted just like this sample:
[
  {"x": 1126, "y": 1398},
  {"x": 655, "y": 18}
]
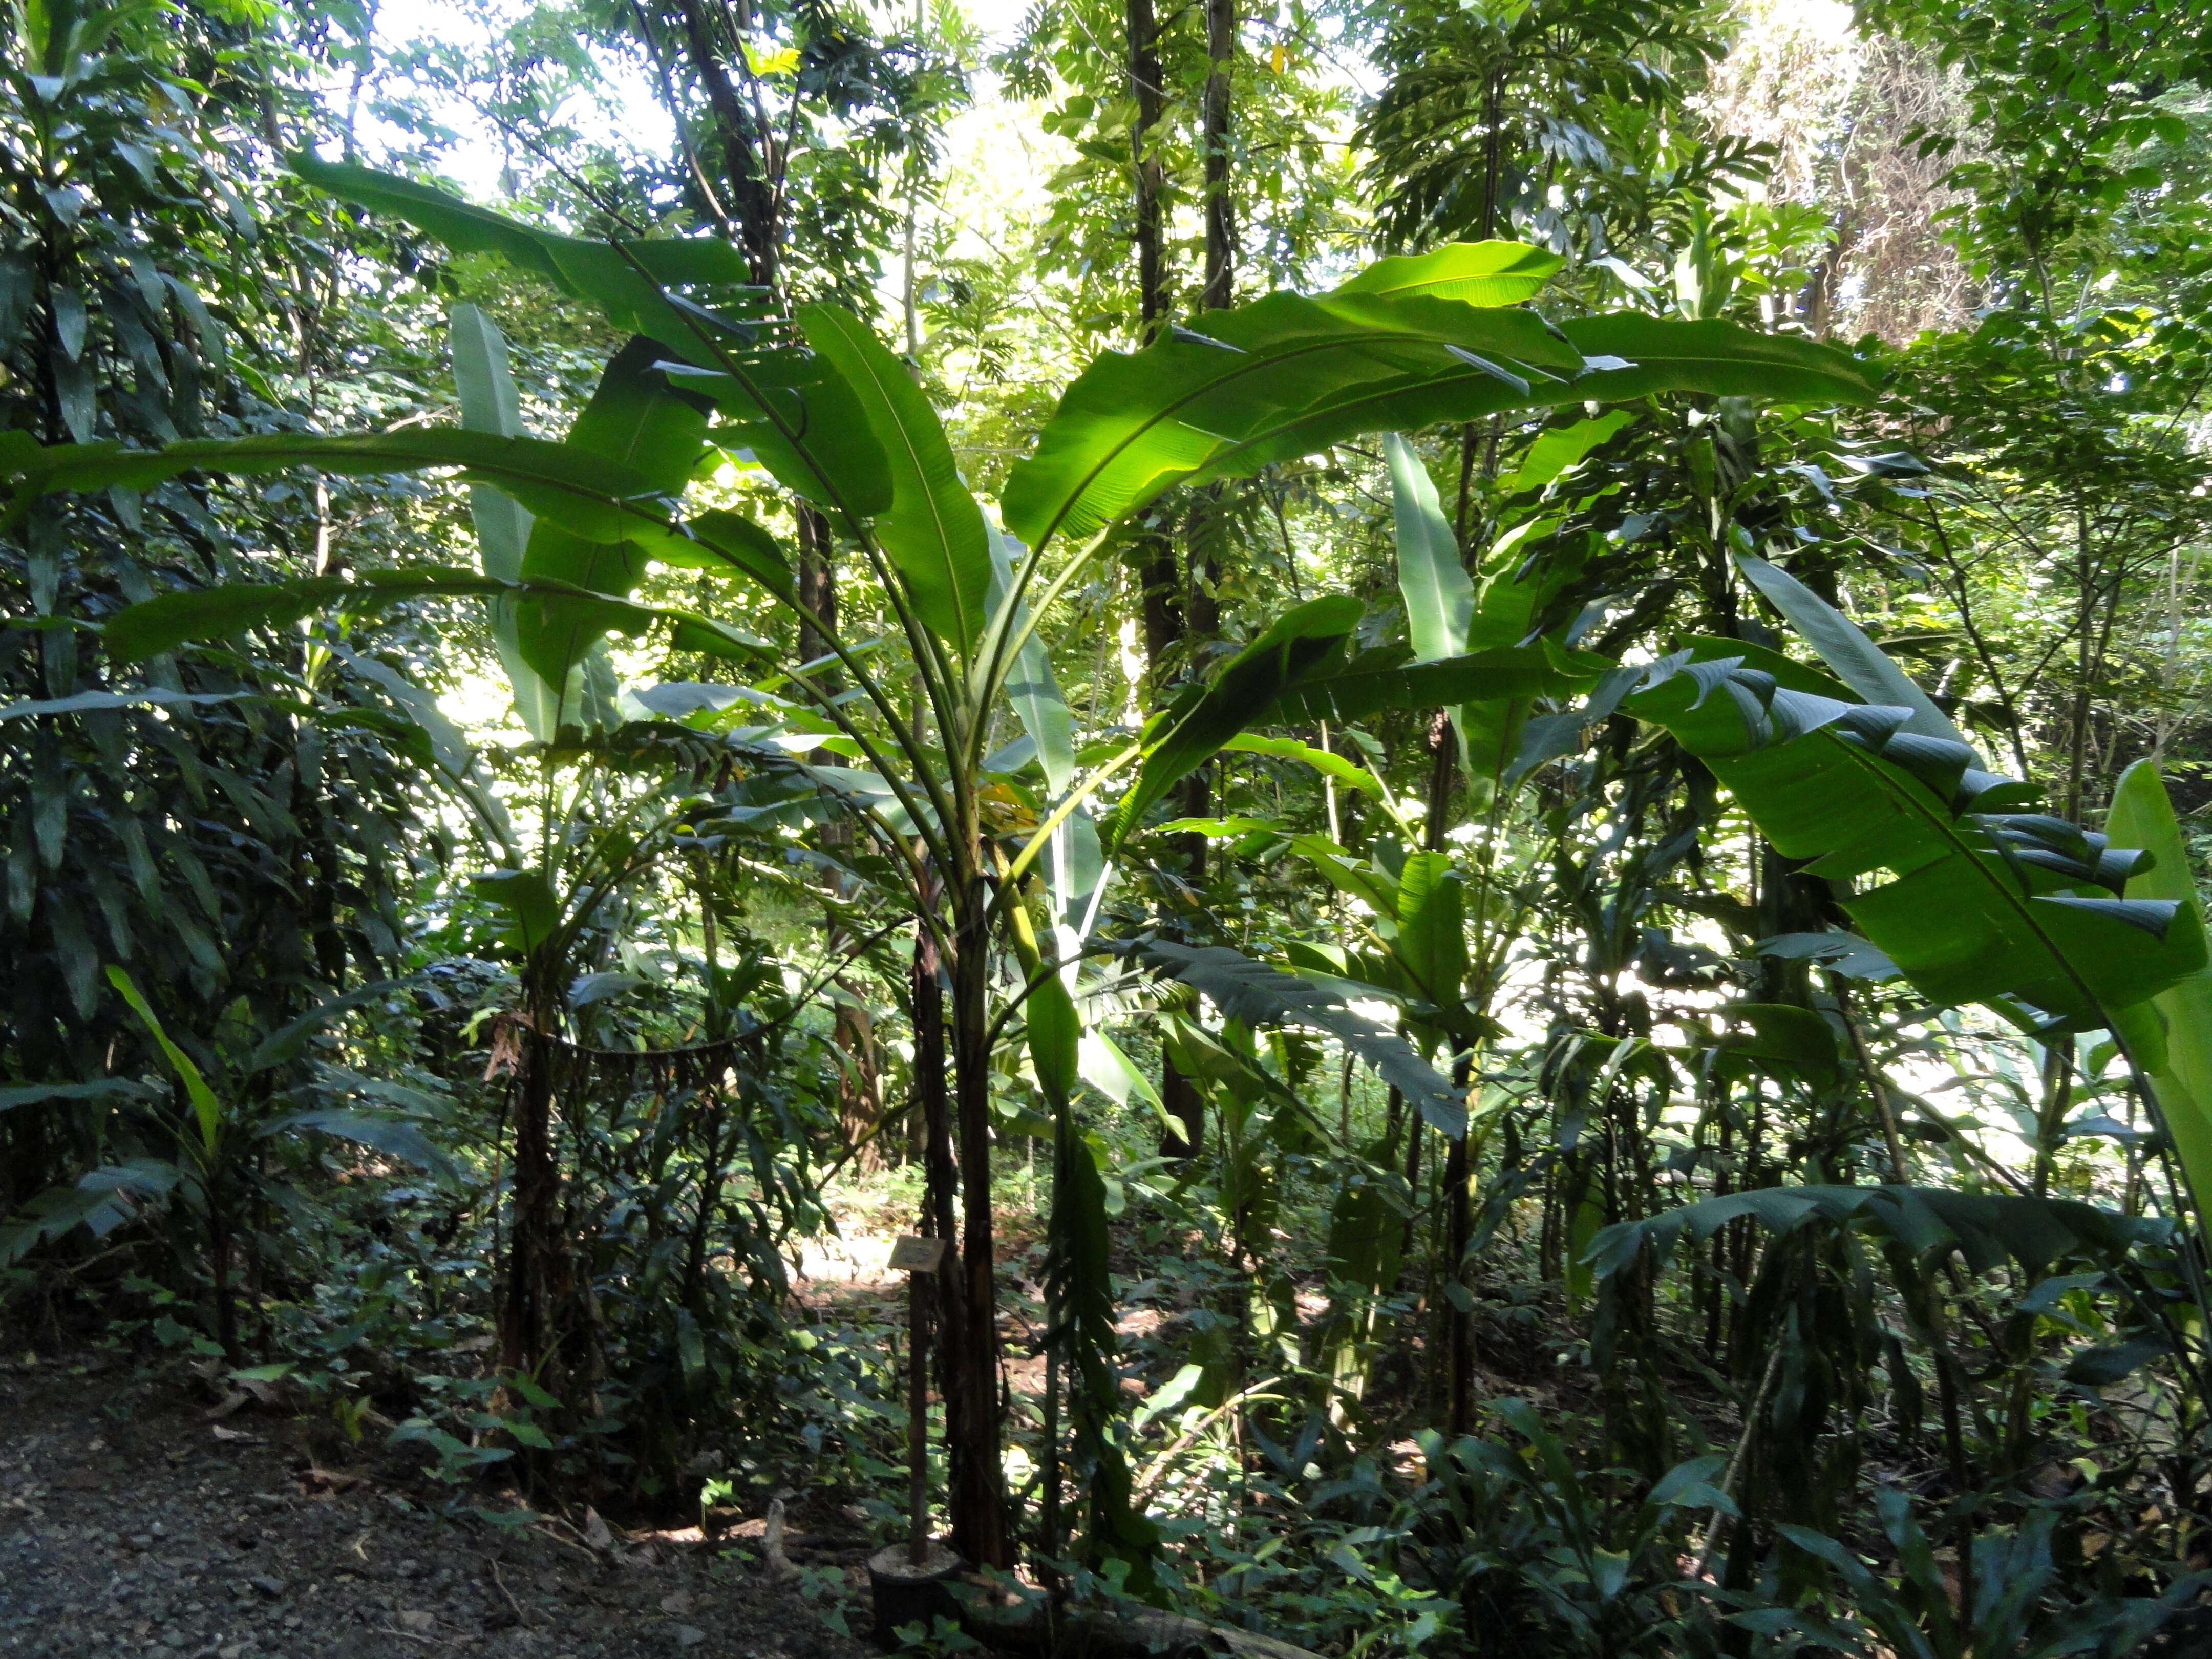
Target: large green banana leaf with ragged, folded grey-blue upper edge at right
[{"x": 1974, "y": 906}]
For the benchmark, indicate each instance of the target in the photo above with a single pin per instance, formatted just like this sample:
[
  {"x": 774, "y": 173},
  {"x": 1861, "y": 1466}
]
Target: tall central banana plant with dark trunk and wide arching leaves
[{"x": 839, "y": 421}]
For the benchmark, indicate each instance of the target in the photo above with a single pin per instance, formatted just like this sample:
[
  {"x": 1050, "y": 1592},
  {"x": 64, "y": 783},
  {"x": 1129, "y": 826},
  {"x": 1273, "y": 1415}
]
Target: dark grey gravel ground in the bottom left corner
[{"x": 138, "y": 1523}]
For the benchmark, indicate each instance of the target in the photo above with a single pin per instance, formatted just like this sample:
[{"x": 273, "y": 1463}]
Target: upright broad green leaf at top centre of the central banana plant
[{"x": 932, "y": 532}]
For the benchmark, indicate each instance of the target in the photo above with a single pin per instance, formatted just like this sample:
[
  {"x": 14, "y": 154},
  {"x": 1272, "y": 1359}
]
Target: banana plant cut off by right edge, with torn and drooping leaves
[{"x": 1970, "y": 897}]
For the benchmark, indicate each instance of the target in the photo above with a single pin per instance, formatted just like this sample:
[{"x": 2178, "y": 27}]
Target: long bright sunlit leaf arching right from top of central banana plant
[{"x": 1286, "y": 377}]
